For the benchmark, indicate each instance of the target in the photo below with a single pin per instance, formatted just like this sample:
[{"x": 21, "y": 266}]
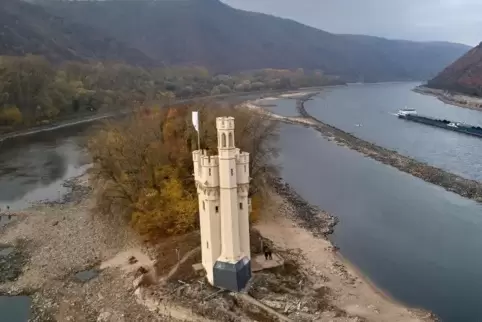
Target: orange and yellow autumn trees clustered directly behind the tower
[{"x": 143, "y": 164}]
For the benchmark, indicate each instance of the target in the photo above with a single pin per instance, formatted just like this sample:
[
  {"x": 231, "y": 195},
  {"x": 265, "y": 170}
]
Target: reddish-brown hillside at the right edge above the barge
[{"x": 464, "y": 75}]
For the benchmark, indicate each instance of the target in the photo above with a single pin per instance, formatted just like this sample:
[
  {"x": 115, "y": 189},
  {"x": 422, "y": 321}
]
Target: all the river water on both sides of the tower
[{"x": 418, "y": 242}]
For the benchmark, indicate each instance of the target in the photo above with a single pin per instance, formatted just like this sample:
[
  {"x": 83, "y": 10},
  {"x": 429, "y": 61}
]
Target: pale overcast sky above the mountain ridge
[{"x": 450, "y": 20}]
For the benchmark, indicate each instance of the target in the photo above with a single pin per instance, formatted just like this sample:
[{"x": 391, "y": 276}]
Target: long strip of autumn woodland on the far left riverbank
[{"x": 34, "y": 90}]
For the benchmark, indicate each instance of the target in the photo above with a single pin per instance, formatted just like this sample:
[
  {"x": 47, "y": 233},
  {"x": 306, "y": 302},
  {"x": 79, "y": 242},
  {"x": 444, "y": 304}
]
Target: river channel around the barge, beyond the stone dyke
[{"x": 367, "y": 111}]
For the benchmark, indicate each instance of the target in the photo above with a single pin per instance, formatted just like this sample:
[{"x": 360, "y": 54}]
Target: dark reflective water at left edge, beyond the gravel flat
[{"x": 34, "y": 168}]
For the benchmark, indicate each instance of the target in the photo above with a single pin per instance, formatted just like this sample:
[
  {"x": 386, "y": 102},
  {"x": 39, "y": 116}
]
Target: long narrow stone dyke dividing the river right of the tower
[{"x": 451, "y": 182}]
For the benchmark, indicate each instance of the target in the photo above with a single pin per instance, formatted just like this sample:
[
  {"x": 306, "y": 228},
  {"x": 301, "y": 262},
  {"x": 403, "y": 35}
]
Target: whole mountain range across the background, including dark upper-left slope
[{"x": 212, "y": 34}]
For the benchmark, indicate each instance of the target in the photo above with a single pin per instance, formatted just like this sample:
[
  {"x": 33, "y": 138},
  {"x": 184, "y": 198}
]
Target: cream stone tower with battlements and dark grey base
[{"x": 222, "y": 183}]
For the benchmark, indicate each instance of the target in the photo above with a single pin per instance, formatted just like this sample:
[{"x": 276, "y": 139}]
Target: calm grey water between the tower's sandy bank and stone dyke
[{"x": 415, "y": 240}]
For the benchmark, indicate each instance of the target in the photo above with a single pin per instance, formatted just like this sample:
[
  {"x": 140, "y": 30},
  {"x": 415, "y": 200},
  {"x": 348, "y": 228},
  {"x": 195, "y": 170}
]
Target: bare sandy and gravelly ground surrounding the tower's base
[{"x": 77, "y": 280}]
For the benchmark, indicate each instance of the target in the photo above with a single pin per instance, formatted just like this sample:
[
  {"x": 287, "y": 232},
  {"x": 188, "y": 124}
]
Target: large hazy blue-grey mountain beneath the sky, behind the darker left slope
[{"x": 224, "y": 39}]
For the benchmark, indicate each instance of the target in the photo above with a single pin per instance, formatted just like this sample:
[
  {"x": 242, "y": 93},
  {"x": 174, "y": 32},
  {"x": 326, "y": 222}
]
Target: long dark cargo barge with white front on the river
[{"x": 411, "y": 115}]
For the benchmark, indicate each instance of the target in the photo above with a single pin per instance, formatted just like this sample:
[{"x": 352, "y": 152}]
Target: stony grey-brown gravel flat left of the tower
[{"x": 50, "y": 244}]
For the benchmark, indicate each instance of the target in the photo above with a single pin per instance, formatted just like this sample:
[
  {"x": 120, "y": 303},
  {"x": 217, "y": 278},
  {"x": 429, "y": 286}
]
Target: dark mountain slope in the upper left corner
[{"x": 26, "y": 28}]
